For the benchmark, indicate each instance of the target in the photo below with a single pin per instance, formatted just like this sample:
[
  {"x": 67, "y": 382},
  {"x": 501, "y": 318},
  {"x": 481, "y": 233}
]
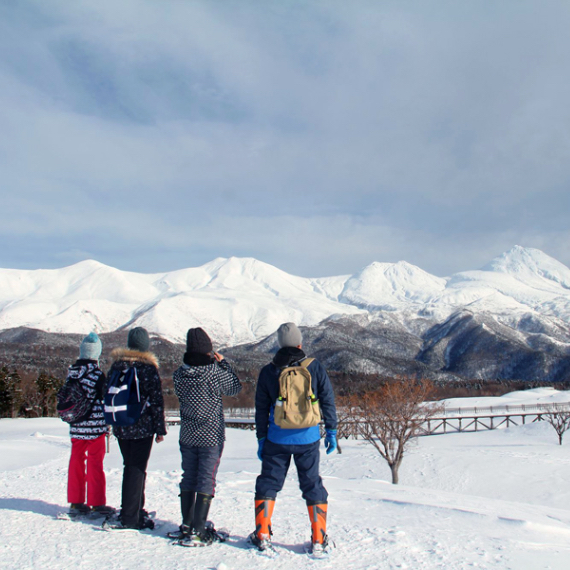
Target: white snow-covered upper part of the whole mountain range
[{"x": 241, "y": 300}]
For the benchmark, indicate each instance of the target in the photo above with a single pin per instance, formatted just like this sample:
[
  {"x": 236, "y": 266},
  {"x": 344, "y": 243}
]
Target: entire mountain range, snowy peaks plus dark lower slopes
[{"x": 508, "y": 320}]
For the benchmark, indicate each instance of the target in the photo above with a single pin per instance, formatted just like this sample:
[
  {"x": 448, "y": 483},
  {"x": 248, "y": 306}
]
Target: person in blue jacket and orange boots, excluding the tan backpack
[{"x": 276, "y": 446}]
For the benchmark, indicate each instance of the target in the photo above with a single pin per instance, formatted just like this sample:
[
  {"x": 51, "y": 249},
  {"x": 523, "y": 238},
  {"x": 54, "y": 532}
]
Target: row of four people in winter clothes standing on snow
[{"x": 199, "y": 383}]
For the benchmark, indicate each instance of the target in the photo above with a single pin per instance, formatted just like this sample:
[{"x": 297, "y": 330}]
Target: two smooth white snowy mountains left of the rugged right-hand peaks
[{"x": 236, "y": 300}]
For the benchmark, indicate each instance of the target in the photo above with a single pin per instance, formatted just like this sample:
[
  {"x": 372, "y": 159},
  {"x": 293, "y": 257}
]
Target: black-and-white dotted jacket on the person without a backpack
[{"x": 199, "y": 389}]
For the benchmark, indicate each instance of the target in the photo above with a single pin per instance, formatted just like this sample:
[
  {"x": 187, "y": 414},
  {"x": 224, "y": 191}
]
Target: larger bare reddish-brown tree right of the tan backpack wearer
[{"x": 390, "y": 417}]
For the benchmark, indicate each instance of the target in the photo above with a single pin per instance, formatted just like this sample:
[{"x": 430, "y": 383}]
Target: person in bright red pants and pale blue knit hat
[{"x": 88, "y": 436}]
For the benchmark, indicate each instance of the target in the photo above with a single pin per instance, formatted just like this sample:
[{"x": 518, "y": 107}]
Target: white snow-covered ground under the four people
[{"x": 497, "y": 500}]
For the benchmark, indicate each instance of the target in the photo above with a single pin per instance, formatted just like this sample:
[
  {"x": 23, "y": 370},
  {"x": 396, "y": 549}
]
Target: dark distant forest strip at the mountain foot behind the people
[{"x": 33, "y": 366}]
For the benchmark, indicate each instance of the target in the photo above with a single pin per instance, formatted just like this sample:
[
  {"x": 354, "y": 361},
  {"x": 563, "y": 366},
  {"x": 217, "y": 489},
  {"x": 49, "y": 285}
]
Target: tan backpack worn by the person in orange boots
[{"x": 296, "y": 407}]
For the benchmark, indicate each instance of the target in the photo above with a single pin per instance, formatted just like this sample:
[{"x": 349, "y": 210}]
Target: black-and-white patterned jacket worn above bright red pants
[{"x": 92, "y": 381}]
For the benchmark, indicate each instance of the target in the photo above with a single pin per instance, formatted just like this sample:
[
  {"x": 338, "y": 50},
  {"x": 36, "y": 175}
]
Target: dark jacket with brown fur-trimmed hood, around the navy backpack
[{"x": 152, "y": 418}]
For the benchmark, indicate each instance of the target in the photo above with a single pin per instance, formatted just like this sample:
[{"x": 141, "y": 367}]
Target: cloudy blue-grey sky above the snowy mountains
[{"x": 317, "y": 136}]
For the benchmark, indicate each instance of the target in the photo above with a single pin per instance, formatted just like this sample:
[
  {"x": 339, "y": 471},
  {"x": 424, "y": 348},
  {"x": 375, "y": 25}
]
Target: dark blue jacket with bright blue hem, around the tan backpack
[{"x": 267, "y": 393}]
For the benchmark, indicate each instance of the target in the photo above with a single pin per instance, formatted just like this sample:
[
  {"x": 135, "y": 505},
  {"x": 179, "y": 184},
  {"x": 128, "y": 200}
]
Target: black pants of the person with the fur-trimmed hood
[{"x": 135, "y": 454}]
